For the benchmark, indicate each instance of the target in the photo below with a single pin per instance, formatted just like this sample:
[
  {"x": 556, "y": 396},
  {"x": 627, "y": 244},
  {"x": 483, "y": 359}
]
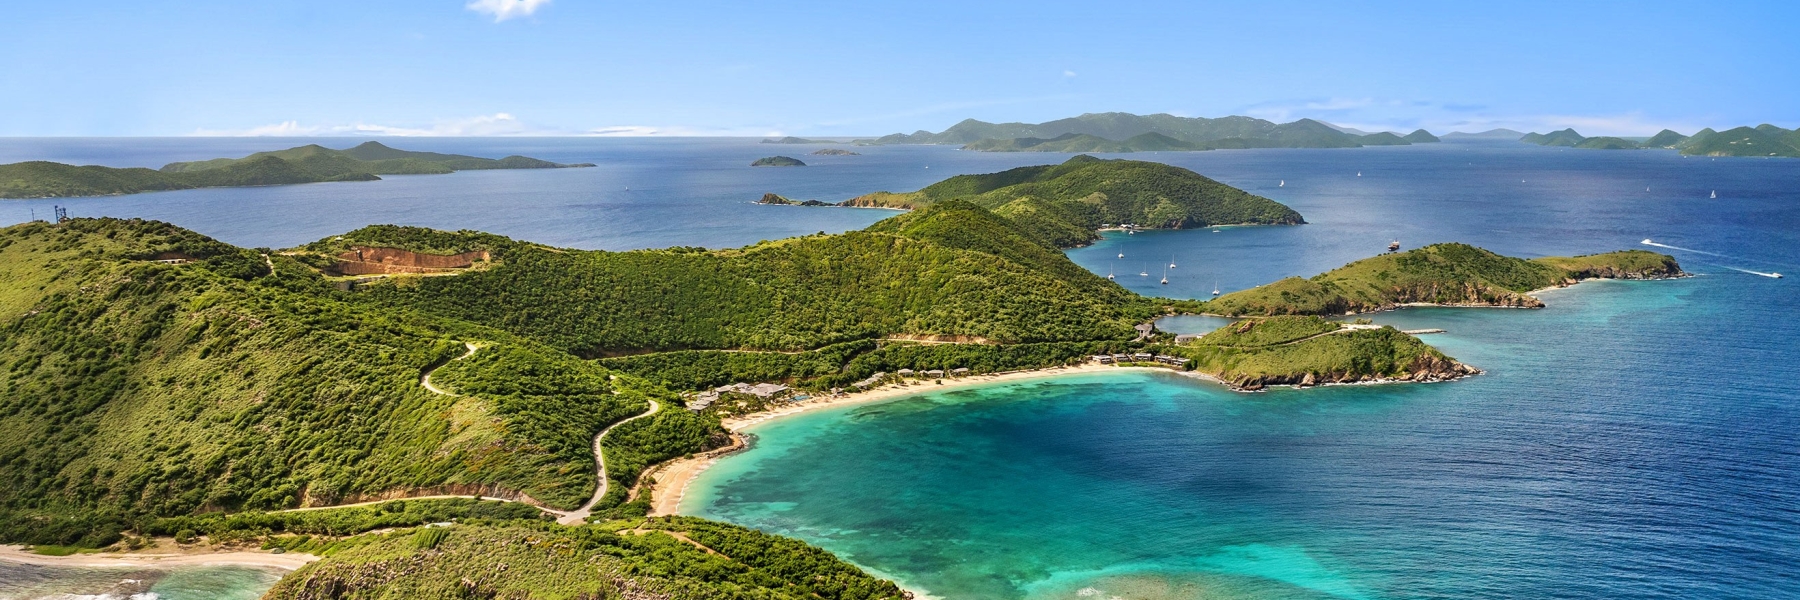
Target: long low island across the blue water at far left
[{"x": 305, "y": 165}]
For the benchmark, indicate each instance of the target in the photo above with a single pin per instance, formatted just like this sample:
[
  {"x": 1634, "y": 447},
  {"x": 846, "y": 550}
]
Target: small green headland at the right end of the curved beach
[{"x": 1309, "y": 350}]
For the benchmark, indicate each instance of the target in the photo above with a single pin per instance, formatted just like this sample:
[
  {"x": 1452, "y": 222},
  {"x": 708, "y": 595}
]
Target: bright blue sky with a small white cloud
[{"x": 798, "y": 68}]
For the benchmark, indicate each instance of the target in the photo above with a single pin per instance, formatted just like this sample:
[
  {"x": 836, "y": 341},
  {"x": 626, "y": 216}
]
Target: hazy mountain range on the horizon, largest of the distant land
[{"x": 1128, "y": 132}]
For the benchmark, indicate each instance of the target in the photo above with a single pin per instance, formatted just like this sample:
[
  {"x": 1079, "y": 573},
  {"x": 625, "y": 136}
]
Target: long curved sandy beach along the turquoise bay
[{"x": 674, "y": 478}]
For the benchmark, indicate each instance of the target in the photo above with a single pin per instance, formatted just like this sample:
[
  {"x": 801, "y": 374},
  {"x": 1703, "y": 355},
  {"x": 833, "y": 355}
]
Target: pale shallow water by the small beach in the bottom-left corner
[{"x": 33, "y": 583}]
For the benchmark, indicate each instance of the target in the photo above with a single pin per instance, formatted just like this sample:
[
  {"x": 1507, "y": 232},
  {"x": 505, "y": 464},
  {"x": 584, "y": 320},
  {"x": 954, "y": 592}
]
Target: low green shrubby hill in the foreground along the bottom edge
[{"x": 636, "y": 559}]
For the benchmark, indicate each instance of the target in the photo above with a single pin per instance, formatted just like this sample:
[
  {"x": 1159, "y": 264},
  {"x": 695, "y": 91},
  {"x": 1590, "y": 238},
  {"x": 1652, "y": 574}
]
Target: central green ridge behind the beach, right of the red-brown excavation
[{"x": 937, "y": 273}]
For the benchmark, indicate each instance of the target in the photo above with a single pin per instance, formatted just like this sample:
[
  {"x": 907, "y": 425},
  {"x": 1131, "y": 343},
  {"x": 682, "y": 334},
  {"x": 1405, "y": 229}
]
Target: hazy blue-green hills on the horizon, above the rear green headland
[{"x": 1225, "y": 132}]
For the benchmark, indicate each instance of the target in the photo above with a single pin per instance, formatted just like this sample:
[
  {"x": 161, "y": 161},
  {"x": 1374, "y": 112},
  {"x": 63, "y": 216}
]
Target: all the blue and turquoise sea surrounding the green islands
[{"x": 1632, "y": 441}]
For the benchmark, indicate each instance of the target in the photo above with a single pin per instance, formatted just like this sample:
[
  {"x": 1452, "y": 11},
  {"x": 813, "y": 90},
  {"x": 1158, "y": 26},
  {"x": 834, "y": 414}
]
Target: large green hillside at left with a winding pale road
[{"x": 136, "y": 388}]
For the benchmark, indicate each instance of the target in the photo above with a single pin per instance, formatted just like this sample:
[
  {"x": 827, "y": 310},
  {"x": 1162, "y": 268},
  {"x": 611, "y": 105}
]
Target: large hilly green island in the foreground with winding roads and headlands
[{"x": 404, "y": 412}]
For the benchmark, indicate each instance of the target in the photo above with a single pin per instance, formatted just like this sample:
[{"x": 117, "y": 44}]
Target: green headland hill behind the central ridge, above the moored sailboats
[{"x": 1065, "y": 205}]
